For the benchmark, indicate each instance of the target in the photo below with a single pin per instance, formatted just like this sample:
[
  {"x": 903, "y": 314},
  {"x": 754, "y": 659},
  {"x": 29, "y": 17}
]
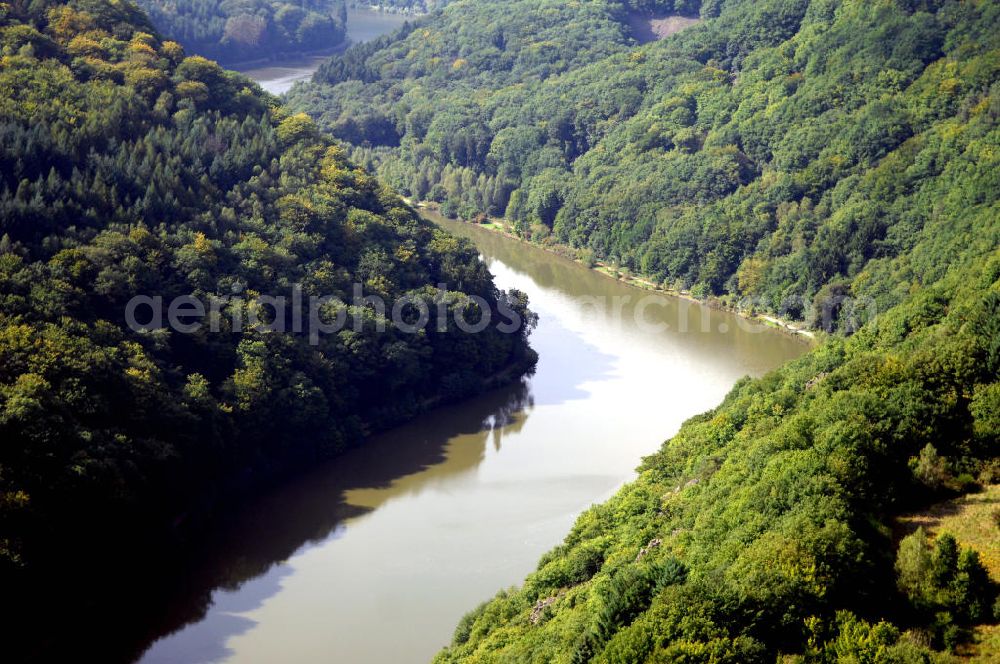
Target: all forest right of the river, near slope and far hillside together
[{"x": 795, "y": 152}]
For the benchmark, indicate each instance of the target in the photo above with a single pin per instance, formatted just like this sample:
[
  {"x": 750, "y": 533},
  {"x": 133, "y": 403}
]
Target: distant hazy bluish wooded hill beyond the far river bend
[{"x": 238, "y": 30}]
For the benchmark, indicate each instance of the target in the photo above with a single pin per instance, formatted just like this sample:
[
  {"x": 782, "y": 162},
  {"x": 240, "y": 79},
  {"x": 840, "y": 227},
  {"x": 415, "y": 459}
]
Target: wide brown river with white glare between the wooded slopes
[{"x": 375, "y": 556}]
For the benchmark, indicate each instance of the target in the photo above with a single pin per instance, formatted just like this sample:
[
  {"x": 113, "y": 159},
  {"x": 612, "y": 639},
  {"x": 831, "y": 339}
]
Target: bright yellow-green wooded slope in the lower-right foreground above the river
[{"x": 768, "y": 503}]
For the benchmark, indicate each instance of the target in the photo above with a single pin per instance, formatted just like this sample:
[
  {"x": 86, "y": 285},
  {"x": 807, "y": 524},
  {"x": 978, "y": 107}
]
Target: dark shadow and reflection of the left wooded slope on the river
[{"x": 247, "y": 553}]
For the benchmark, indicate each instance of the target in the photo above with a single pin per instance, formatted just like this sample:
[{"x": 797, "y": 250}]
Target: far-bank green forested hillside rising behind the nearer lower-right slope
[{"x": 721, "y": 160}]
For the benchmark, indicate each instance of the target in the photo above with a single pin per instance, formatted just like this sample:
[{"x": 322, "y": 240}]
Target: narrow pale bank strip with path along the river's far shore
[{"x": 643, "y": 282}]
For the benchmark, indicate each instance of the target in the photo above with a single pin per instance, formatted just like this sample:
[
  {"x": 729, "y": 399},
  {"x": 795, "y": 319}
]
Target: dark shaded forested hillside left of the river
[{"x": 128, "y": 168}]
